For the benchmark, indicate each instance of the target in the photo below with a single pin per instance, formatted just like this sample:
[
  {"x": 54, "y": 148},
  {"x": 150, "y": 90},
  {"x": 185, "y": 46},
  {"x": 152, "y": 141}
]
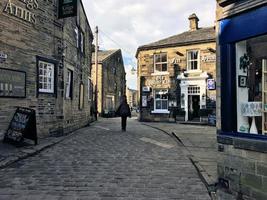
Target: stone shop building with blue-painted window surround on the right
[{"x": 241, "y": 99}]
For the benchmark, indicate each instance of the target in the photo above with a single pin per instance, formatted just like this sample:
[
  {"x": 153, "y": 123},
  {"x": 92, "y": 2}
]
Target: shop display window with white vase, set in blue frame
[{"x": 251, "y": 85}]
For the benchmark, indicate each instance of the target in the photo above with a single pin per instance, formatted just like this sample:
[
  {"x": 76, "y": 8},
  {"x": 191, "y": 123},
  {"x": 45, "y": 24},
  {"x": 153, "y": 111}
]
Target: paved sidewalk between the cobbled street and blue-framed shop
[{"x": 201, "y": 145}]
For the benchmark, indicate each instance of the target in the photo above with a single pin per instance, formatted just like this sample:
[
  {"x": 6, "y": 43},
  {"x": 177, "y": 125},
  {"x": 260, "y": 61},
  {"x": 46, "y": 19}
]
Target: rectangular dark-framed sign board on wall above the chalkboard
[{"x": 12, "y": 83}]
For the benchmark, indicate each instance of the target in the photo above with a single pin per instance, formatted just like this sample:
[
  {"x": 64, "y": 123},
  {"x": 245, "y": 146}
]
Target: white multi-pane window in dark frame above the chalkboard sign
[{"x": 48, "y": 75}]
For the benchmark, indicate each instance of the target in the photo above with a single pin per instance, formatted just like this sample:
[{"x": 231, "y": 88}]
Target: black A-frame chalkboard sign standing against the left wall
[{"x": 22, "y": 125}]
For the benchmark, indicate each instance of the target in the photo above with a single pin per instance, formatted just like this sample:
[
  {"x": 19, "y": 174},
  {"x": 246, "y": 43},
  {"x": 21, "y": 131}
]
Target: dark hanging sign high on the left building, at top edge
[{"x": 67, "y": 8}]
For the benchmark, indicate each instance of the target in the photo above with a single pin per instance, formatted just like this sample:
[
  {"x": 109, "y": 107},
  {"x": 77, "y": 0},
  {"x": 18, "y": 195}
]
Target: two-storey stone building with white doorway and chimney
[{"x": 178, "y": 73}]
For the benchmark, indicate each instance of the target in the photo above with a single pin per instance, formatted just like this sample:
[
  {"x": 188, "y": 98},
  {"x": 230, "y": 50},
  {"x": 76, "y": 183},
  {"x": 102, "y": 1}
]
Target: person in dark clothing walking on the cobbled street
[{"x": 124, "y": 111}]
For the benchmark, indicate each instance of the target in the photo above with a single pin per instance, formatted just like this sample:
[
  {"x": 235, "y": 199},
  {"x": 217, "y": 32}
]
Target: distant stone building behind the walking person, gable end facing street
[{"x": 111, "y": 82}]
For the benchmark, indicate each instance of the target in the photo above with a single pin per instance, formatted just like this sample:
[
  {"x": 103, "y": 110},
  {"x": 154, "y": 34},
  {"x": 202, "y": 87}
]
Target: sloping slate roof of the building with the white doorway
[{"x": 201, "y": 35}]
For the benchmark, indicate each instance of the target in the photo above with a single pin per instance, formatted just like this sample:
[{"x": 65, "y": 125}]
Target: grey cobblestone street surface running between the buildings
[{"x": 101, "y": 162}]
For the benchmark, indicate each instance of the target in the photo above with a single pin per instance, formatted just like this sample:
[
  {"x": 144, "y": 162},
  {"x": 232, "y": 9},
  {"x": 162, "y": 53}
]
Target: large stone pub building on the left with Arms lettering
[{"x": 45, "y": 65}]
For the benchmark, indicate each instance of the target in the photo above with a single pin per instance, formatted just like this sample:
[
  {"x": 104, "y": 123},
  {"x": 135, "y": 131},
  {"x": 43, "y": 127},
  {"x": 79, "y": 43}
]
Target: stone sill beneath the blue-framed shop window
[{"x": 243, "y": 143}]
